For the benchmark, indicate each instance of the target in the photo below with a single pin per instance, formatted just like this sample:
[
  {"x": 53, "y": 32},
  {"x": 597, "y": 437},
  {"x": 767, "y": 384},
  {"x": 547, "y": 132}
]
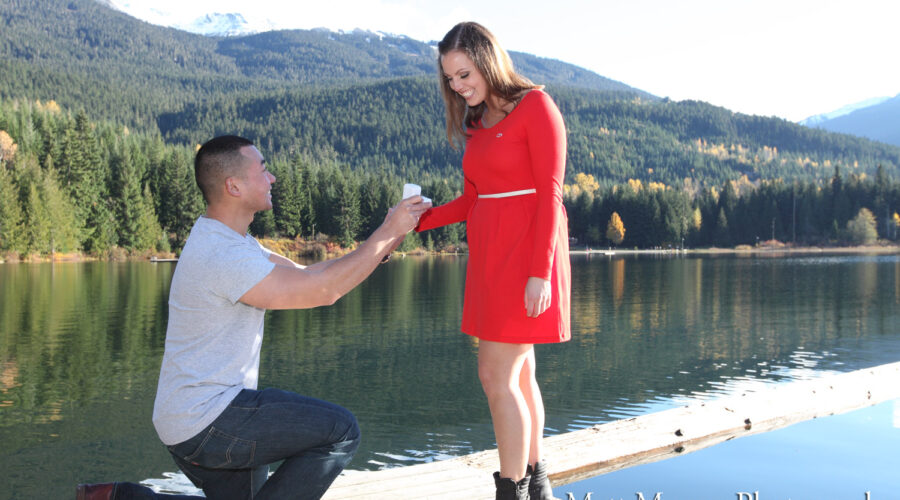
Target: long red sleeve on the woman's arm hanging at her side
[{"x": 547, "y": 147}]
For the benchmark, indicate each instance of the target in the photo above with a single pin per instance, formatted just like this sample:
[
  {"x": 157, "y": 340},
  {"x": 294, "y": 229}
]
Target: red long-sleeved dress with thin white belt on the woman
[{"x": 513, "y": 238}]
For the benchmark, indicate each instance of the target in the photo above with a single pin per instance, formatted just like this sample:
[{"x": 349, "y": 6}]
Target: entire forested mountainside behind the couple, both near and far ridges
[{"x": 372, "y": 100}]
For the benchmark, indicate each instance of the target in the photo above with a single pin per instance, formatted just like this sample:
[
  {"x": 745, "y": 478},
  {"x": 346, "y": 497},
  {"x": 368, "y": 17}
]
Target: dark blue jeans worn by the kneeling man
[{"x": 229, "y": 459}]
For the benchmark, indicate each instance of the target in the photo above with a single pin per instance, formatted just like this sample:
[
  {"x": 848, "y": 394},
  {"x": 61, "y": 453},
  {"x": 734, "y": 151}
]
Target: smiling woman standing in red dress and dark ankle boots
[{"x": 517, "y": 277}]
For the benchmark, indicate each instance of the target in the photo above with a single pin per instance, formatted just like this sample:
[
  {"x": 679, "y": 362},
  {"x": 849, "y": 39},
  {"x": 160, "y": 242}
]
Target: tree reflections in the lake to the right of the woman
[{"x": 652, "y": 326}]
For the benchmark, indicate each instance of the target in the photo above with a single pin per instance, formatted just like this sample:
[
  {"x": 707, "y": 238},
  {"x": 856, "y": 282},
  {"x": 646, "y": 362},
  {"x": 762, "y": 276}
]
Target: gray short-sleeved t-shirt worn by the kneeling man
[{"x": 212, "y": 341}]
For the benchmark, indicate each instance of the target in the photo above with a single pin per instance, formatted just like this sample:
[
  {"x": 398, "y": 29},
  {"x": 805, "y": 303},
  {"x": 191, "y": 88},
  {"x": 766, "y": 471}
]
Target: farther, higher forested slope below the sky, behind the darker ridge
[{"x": 83, "y": 54}]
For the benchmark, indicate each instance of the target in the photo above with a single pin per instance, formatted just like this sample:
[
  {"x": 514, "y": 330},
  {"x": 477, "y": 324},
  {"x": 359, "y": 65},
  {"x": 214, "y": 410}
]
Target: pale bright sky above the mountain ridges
[{"x": 786, "y": 58}]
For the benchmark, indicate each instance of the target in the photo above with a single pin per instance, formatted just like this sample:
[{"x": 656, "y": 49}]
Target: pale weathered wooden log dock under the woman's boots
[{"x": 607, "y": 447}]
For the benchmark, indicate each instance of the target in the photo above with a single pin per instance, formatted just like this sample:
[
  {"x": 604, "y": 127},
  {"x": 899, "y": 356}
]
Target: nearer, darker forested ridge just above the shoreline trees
[{"x": 614, "y": 137}]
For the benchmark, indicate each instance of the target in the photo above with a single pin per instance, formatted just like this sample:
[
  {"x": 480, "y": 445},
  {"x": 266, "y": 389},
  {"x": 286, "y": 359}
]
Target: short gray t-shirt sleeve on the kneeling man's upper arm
[{"x": 239, "y": 268}]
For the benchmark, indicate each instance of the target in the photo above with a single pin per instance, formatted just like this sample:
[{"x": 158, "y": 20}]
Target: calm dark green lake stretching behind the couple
[{"x": 81, "y": 344}]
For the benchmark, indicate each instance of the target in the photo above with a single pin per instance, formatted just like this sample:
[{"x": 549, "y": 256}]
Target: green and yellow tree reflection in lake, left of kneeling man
[{"x": 78, "y": 332}]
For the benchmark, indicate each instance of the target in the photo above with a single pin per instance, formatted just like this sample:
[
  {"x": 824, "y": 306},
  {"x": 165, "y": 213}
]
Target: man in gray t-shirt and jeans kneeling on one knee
[{"x": 223, "y": 432}]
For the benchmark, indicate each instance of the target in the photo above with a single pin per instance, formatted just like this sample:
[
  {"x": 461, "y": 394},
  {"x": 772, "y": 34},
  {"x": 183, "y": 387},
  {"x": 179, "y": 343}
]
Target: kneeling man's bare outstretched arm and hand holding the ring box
[{"x": 290, "y": 286}]
